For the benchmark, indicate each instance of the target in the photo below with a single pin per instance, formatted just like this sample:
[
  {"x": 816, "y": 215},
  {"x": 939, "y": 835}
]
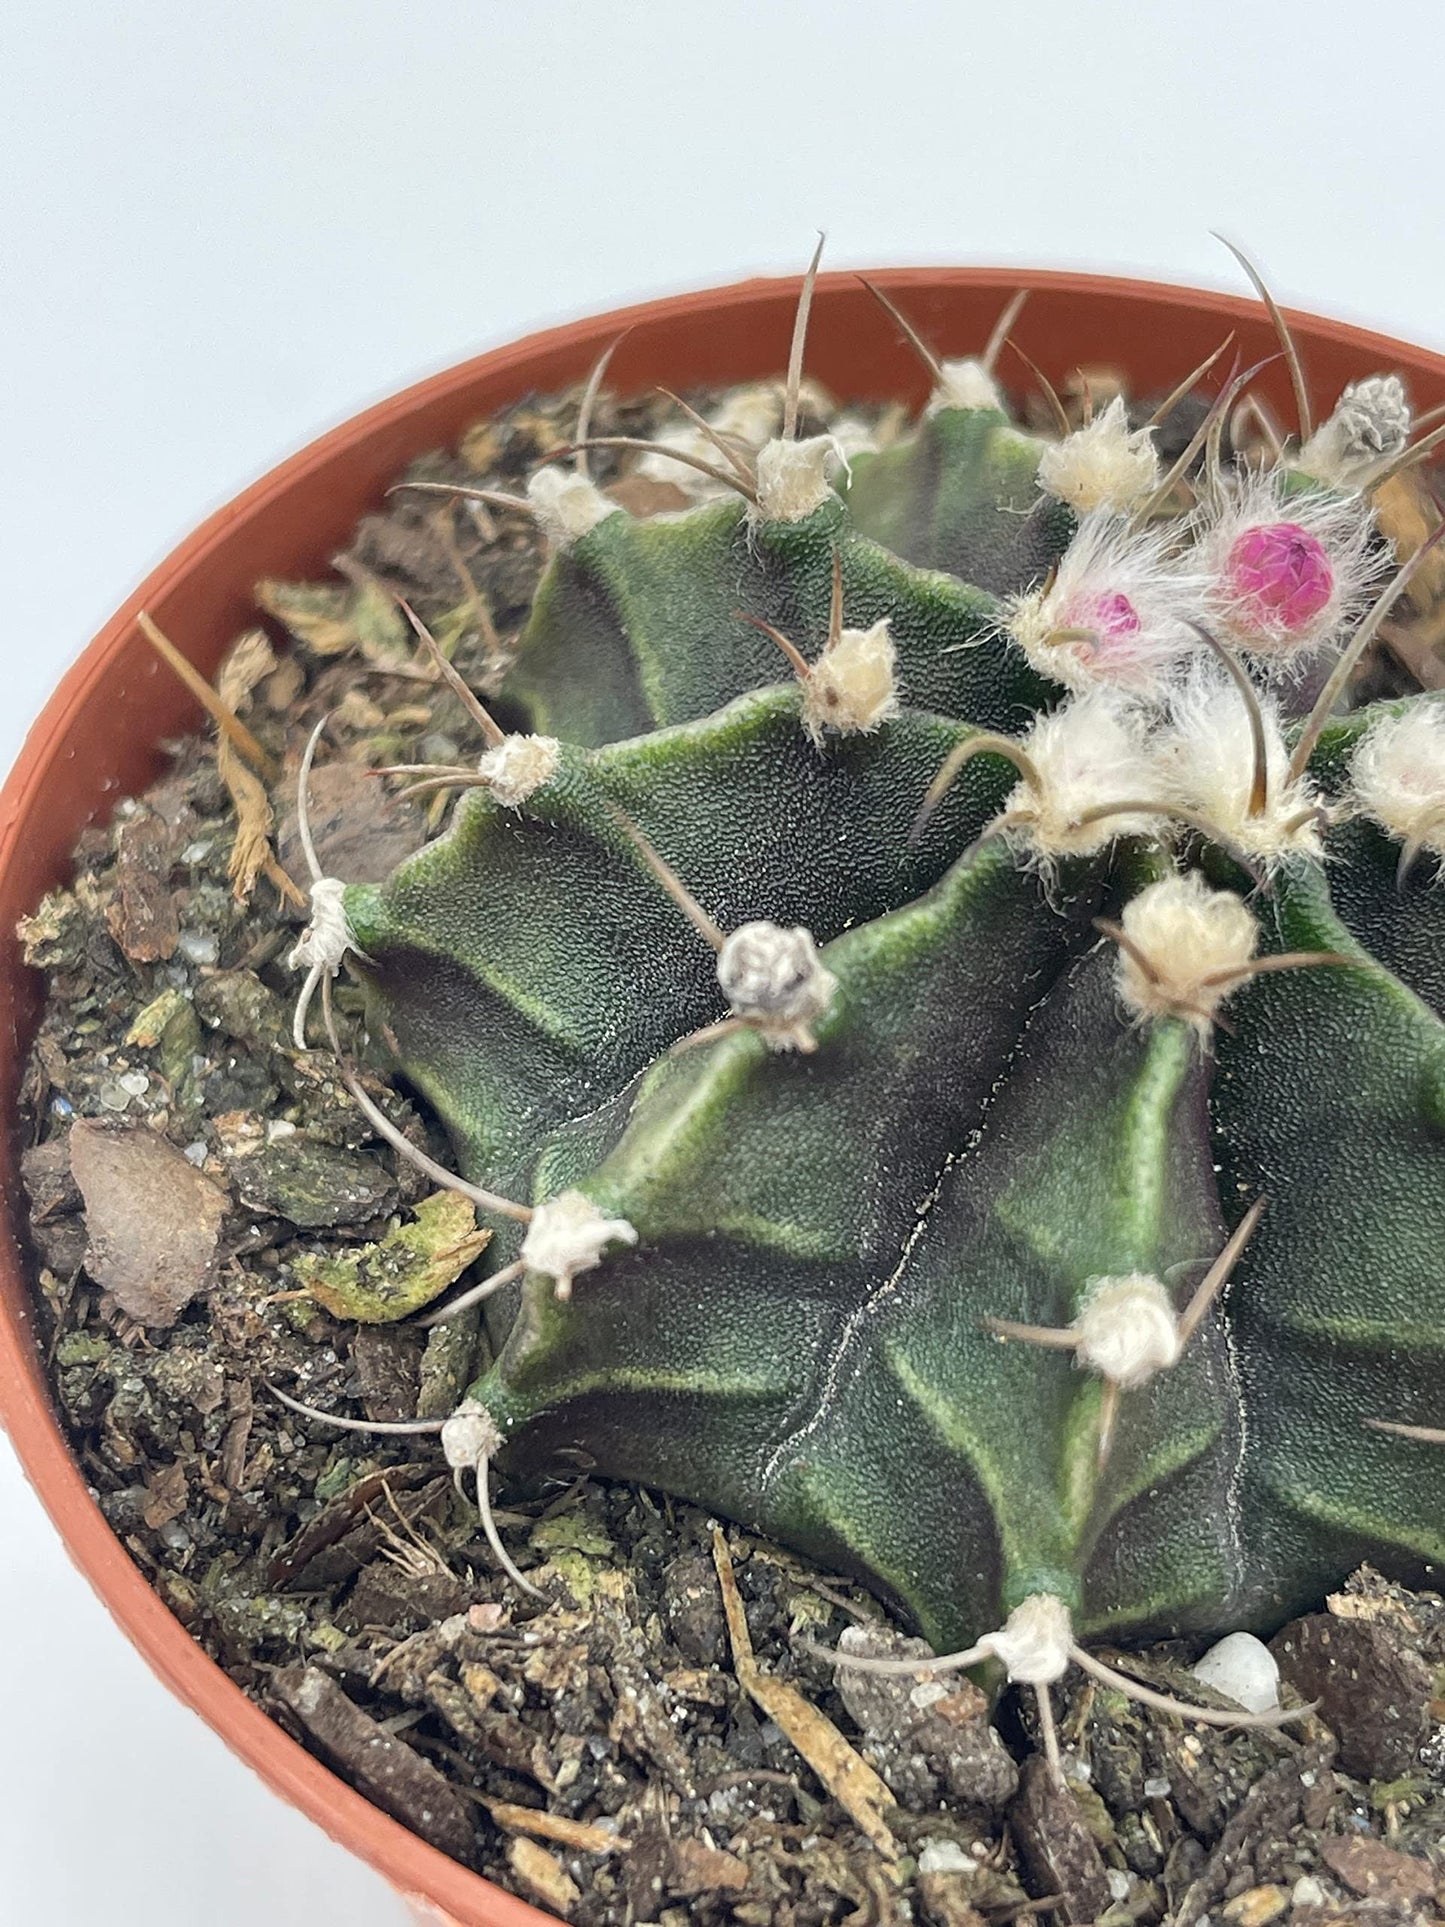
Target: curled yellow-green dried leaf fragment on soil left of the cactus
[{"x": 409, "y": 1269}]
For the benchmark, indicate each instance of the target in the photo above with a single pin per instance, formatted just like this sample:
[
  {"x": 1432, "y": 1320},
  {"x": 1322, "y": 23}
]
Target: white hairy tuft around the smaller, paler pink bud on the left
[{"x": 1115, "y": 614}]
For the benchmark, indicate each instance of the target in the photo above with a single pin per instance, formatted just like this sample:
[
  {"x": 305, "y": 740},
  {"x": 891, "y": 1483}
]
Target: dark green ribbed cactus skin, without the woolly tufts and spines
[{"x": 799, "y": 1336}]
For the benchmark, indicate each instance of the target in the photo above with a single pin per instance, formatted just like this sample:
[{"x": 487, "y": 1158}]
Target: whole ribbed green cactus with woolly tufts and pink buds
[{"x": 945, "y": 1016}]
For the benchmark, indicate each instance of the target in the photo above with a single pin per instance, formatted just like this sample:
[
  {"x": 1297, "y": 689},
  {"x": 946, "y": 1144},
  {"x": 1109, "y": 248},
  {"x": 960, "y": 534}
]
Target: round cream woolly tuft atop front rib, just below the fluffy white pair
[{"x": 1186, "y": 932}]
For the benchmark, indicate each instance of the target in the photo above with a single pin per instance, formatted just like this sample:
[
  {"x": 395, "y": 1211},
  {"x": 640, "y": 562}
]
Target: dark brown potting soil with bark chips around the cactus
[{"x": 596, "y": 1753}]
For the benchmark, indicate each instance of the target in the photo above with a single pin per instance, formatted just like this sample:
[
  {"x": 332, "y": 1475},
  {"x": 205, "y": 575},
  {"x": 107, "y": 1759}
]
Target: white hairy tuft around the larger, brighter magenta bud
[{"x": 1294, "y": 604}]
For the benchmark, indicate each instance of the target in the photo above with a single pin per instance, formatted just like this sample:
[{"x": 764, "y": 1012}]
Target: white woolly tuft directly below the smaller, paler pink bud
[{"x": 1090, "y": 754}]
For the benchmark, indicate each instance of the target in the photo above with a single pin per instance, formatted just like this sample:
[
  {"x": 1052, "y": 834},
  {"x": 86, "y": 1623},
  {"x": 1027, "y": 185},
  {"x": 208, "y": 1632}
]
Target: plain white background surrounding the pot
[{"x": 228, "y": 226}]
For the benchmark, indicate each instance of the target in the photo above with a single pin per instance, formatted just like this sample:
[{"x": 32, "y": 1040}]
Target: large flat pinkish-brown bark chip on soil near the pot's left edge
[{"x": 151, "y": 1217}]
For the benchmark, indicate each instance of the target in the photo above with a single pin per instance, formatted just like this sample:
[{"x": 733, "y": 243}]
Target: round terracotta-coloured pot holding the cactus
[{"x": 99, "y": 735}]
